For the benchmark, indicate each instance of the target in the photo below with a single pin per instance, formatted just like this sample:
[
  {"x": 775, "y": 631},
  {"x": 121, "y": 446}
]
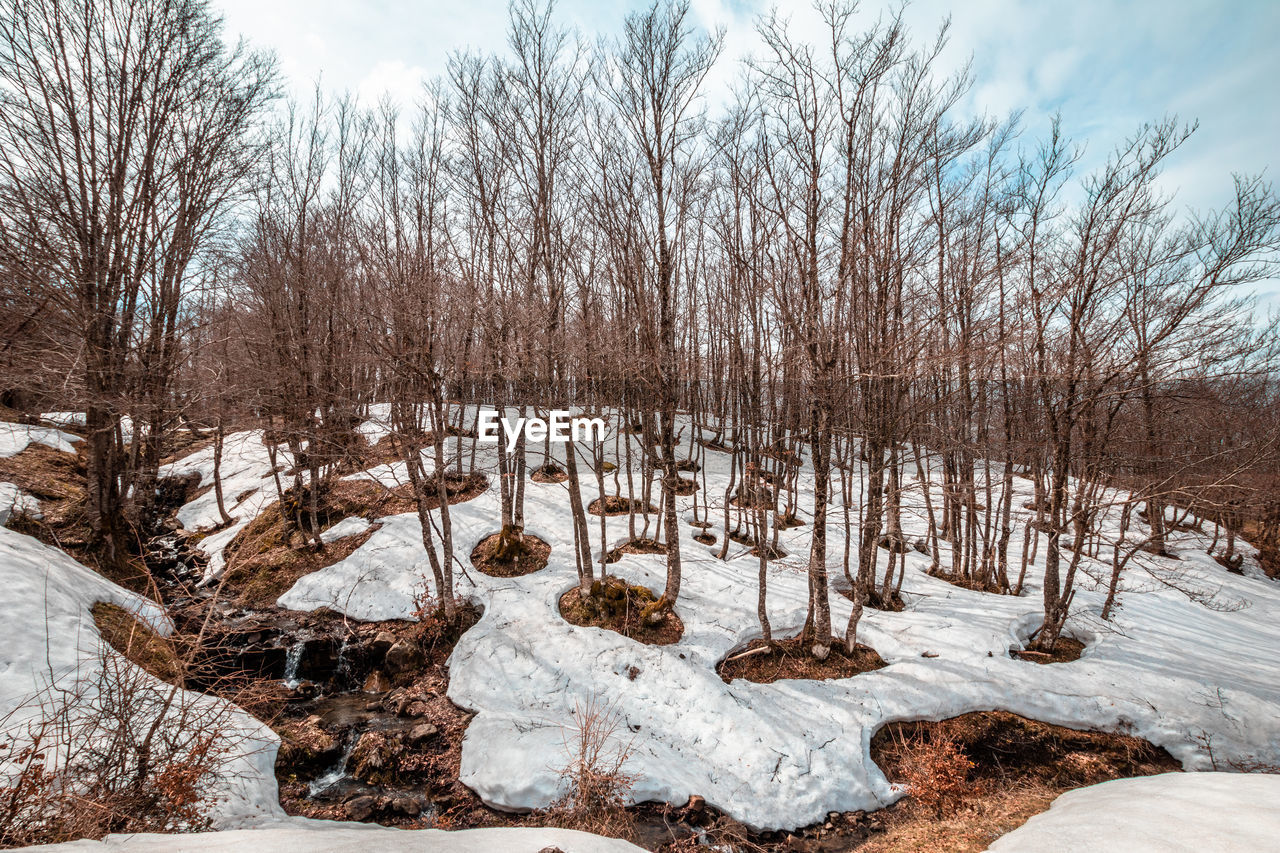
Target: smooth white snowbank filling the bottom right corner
[{"x": 1168, "y": 814}]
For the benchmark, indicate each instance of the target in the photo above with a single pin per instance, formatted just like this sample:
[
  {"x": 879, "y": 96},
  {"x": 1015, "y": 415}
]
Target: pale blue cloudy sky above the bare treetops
[{"x": 1105, "y": 66}]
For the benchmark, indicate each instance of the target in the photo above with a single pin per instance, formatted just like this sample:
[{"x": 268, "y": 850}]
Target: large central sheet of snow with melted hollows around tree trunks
[{"x": 1192, "y": 676}]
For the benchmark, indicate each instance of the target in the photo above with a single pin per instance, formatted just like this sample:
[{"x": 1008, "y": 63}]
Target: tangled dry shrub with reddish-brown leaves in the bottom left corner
[{"x": 111, "y": 750}]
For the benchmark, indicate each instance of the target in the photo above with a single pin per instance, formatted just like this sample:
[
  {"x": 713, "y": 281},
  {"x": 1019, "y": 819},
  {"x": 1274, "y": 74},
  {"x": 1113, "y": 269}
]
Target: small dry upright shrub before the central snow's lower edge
[{"x": 595, "y": 783}]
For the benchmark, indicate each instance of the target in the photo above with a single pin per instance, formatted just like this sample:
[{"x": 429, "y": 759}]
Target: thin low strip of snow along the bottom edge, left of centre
[{"x": 324, "y": 837}]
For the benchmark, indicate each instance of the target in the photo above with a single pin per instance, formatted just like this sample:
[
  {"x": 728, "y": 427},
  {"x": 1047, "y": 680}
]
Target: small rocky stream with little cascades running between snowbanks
[{"x": 348, "y": 732}]
